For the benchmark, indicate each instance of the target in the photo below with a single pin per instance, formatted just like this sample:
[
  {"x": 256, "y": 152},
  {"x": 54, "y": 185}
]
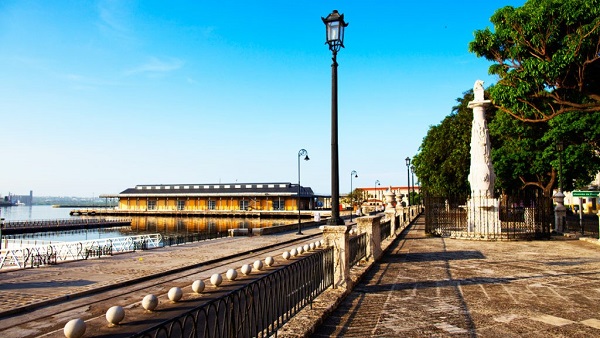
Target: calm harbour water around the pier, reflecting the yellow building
[{"x": 139, "y": 225}]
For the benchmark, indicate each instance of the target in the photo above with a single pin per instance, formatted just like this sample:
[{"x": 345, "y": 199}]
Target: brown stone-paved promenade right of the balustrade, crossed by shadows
[{"x": 436, "y": 287}]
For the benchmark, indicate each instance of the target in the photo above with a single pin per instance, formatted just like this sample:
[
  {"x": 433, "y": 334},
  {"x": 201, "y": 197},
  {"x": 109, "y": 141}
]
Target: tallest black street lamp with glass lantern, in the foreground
[{"x": 334, "y": 29}]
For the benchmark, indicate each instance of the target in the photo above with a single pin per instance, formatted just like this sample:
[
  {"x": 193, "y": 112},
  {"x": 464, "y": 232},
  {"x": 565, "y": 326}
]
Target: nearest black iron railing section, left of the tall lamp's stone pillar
[{"x": 257, "y": 309}]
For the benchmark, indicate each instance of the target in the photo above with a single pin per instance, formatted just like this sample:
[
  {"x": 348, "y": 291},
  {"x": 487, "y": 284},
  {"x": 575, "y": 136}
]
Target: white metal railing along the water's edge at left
[{"x": 21, "y": 257}]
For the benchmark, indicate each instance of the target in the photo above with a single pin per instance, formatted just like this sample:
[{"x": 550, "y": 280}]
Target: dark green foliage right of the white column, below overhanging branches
[{"x": 525, "y": 154}]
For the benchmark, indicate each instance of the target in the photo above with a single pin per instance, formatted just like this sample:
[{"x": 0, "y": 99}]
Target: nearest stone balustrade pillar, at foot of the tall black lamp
[{"x": 338, "y": 236}]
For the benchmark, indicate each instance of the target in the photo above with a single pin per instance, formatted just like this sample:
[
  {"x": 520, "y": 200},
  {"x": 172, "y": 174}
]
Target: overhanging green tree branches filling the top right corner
[{"x": 547, "y": 57}]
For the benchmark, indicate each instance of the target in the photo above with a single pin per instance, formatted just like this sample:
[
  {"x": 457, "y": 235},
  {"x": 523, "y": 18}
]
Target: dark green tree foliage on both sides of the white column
[{"x": 524, "y": 154}]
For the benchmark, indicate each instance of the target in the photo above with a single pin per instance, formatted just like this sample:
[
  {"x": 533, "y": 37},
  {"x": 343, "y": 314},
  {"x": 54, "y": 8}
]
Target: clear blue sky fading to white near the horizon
[{"x": 99, "y": 96}]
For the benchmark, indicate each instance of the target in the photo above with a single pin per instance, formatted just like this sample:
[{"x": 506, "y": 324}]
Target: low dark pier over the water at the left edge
[{"x": 31, "y": 226}]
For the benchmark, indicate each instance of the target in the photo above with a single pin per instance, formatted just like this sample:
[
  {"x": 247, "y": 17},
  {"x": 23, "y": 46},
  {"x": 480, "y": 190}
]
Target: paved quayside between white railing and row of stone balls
[{"x": 31, "y": 288}]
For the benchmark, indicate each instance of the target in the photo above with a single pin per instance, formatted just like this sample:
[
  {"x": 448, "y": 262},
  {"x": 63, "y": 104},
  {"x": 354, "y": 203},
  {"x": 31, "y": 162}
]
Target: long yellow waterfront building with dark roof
[{"x": 216, "y": 196}]
